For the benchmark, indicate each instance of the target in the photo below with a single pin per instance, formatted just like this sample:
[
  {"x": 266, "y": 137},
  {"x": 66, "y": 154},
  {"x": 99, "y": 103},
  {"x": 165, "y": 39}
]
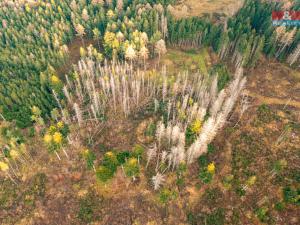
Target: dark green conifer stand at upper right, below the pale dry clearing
[{"x": 243, "y": 37}]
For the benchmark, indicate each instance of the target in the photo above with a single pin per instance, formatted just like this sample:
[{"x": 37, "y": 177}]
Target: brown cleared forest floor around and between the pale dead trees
[{"x": 256, "y": 158}]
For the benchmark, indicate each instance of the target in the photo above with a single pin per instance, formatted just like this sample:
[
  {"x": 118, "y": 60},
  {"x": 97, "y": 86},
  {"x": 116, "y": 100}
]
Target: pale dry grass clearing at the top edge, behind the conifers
[{"x": 187, "y": 8}]
